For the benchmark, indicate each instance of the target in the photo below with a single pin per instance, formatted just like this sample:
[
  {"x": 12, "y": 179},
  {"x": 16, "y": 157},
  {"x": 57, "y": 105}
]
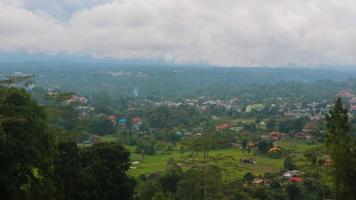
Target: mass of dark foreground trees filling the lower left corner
[{"x": 35, "y": 166}]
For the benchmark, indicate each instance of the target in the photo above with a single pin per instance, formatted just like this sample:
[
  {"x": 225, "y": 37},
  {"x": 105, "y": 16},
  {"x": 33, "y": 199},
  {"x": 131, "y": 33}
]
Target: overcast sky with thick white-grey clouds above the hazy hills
[{"x": 217, "y": 32}]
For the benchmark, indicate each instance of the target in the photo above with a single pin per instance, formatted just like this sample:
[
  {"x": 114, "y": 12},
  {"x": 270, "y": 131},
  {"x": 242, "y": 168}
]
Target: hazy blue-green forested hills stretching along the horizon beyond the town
[{"x": 162, "y": 81}]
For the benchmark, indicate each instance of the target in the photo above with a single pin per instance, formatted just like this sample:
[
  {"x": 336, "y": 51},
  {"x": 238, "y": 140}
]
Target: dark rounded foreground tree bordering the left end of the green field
[{"x": 105, "y": 167}]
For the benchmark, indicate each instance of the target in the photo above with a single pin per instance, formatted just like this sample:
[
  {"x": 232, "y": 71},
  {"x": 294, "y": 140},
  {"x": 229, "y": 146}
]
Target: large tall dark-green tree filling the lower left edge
[{"x": 26, "y": 148}]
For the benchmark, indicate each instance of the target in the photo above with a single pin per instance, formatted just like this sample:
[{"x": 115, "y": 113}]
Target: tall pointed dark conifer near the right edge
[{"x": 339, "y": 145}]
